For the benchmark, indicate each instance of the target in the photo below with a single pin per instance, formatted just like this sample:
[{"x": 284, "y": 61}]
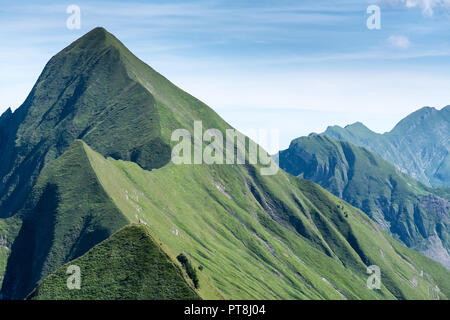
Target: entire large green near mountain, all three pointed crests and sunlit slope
[{"x": 86, "y": 180}]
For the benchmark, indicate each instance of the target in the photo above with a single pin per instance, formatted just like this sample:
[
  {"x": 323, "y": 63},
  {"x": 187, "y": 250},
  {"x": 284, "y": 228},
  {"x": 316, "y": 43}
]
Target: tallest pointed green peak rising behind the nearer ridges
[{"x": 89, "y": 90}]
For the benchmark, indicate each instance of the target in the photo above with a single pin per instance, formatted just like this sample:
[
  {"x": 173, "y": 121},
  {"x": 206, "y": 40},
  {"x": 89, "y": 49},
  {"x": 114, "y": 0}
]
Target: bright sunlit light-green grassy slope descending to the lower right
[{"x": 266, "y": 236}]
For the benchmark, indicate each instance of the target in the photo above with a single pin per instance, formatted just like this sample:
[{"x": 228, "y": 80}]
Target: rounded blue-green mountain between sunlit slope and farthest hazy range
[{"x": 411, "y": 212}]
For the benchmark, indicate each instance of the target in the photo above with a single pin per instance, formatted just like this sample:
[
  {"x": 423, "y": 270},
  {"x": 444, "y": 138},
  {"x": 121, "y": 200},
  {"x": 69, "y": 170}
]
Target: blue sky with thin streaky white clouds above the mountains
[{"x": 294, "y": 66}]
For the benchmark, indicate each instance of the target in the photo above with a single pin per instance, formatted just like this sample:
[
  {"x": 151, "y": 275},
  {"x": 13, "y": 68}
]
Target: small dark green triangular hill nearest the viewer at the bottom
[{"x": 128, "y": 265}]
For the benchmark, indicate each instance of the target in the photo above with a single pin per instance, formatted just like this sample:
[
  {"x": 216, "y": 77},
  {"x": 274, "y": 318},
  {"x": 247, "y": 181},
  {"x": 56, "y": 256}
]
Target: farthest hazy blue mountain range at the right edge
[{"x": 419, "y": 145}]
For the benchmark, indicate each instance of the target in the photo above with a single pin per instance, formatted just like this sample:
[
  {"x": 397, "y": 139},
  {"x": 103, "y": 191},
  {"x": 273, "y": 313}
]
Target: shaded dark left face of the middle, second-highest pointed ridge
[{"x": 67, "y": 213}]
